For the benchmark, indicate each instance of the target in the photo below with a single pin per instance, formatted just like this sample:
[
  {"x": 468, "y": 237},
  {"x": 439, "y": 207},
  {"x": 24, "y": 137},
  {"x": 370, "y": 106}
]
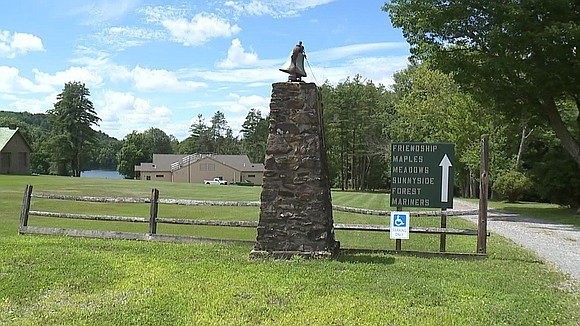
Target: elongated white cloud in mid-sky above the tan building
[{"x": 161, "y": 80}]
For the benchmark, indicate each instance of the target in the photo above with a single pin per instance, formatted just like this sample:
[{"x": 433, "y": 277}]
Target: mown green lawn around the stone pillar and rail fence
[{"x": 61, "y": 280}]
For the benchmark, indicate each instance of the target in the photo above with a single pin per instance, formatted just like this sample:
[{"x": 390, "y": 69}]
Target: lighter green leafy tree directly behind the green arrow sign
[{"x": 431, "y": 107}]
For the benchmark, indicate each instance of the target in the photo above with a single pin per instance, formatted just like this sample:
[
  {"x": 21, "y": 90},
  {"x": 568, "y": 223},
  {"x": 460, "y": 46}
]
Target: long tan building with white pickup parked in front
[{"x": 195, "y": 168}]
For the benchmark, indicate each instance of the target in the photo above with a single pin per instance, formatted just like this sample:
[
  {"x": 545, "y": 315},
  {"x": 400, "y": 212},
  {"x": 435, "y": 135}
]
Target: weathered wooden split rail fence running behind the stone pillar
[{"x": 153, "y": 220}]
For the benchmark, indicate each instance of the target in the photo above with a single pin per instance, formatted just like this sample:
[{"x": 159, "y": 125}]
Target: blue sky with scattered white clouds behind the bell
[{"x": 151, "y": 63}]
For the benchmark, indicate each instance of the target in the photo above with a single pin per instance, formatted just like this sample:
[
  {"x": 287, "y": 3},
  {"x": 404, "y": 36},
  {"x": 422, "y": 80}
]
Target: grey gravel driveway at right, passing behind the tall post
[{"x": 557, "y": 244}]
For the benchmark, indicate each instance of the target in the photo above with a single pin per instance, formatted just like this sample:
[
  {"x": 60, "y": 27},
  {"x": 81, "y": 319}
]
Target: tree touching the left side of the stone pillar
[{"x": 255, "y": 136}]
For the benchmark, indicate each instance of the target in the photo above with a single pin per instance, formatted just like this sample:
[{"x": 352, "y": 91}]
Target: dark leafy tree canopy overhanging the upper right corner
[{"x": 518, "y": 55}]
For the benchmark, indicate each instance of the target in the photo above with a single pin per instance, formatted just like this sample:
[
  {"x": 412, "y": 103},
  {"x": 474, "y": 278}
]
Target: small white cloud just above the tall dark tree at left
[{"x": 82, "y": 74}]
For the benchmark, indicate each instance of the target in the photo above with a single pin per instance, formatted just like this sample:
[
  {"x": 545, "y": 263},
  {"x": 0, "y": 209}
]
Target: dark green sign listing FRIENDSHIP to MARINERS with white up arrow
[{"x": 422, "y": 175}]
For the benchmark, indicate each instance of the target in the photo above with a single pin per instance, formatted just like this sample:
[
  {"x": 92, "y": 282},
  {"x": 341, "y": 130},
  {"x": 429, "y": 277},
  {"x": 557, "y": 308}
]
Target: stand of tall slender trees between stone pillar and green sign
[{"x": 356, "y": 112}]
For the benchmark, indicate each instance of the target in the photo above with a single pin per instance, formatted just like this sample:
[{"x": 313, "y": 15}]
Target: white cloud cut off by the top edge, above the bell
[{"x": 274, "y": 8}]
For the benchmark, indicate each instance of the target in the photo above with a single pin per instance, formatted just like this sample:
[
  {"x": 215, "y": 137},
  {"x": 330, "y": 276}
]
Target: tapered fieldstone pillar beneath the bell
[{"x": 296, "y": 208}]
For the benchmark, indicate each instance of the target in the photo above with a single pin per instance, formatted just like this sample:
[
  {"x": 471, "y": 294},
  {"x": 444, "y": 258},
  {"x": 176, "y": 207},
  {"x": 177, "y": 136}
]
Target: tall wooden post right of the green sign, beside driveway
[{"x": 483, "y": 193}]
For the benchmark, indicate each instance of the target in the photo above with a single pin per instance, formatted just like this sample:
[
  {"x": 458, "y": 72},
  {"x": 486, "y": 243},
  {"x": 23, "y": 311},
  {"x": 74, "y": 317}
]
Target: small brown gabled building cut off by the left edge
[{"x": 14, "y": 152}]
